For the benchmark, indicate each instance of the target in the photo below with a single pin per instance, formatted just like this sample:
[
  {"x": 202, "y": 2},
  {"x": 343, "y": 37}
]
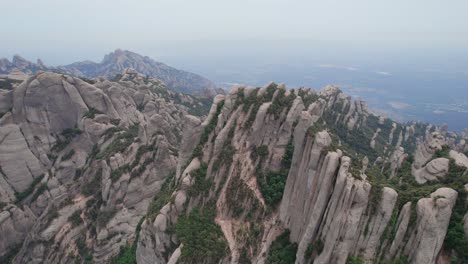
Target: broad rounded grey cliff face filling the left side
[{"x": 81, "y": 160}]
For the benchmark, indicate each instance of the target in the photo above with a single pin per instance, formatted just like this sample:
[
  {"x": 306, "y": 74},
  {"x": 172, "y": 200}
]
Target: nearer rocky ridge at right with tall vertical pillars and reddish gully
[{"x": 344, "y": 192}]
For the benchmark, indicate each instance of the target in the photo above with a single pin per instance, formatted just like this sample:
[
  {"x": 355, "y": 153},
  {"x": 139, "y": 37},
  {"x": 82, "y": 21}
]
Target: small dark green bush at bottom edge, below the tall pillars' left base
[{"x": 282, "y": 251}]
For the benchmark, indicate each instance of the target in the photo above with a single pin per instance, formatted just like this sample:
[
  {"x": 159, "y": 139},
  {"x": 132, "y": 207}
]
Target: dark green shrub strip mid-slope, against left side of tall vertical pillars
[{"x": 272, "y": 183}]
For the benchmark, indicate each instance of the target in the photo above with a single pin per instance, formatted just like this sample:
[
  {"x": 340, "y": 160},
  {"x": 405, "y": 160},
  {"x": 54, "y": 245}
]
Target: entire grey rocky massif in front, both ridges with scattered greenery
[{"x": 118, "y": 171}]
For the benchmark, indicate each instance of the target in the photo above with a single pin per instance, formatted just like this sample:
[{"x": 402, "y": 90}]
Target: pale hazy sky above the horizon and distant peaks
[{"x": 61, "y": 31}]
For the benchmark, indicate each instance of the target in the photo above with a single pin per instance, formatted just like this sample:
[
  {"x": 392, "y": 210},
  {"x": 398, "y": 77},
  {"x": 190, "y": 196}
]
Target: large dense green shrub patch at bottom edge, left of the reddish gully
[{"x": 203, "y": 240}]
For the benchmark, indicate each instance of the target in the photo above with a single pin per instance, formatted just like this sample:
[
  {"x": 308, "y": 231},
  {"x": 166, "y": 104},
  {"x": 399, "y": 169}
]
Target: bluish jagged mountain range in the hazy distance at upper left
[{"x": 114, "y": 63}]
